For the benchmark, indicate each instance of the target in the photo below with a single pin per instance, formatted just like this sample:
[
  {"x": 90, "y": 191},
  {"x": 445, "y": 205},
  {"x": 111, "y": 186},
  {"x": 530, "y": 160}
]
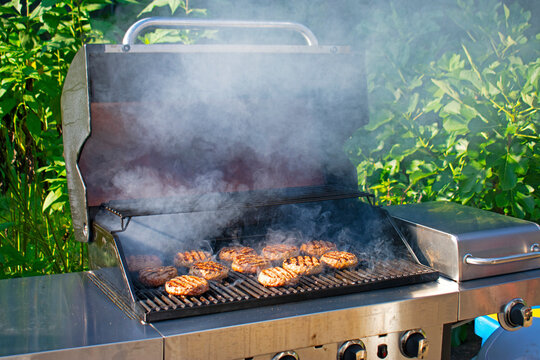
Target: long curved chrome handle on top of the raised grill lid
[{"x": 162, "y": 22}]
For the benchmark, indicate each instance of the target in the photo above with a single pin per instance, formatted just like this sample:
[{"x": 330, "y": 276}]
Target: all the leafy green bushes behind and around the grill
[{"x": 453, "y": 104}]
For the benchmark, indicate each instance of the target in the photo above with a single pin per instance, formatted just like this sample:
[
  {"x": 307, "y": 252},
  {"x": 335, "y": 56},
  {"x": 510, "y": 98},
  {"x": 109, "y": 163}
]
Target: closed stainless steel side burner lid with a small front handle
[{"x": 466, "y": 243}]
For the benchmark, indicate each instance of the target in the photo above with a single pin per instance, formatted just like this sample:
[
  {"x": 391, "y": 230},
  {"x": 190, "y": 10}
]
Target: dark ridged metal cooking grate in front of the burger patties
[{"x": 241, "y": 291}]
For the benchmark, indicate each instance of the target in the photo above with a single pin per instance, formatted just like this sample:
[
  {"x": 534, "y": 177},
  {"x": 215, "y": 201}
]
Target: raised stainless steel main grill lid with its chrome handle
[{"x": 147, "y": 122}]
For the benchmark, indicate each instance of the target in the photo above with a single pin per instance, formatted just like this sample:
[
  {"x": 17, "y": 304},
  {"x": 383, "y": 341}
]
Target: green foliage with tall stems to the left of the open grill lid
[{"x": 38, "y": 40}]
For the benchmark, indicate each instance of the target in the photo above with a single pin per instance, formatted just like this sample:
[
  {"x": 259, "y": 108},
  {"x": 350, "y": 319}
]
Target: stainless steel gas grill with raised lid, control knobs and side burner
[{"x": 196, "y": 147}]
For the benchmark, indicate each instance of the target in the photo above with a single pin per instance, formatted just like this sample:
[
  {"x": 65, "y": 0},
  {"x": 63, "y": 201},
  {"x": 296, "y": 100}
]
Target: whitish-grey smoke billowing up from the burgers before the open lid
[{"x": 167, "y": 127}]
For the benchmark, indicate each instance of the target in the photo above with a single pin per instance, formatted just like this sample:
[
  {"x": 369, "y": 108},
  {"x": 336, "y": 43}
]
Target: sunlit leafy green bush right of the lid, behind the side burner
[{"x": 454, "y": 110}]
